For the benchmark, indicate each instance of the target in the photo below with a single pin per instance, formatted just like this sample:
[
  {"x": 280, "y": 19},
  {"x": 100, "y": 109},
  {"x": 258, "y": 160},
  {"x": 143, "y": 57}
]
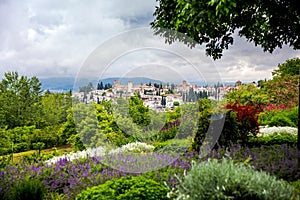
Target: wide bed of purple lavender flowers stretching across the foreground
[{"x": 71, "y": 177}]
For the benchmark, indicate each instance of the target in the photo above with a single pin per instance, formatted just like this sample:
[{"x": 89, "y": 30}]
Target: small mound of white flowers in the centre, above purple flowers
[{"x": 134, "y": 147}]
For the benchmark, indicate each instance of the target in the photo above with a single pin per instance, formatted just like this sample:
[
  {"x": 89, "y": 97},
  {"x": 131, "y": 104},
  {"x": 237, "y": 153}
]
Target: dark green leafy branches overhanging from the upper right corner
[{"x": 269, "y": 24}]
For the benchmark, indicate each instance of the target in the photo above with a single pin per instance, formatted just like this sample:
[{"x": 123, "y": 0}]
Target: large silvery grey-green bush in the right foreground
[{"x": 228, "y": 180}]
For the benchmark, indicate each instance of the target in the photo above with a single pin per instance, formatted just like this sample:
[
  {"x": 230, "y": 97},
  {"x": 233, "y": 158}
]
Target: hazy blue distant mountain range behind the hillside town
[{"x": 68, "y": 83}]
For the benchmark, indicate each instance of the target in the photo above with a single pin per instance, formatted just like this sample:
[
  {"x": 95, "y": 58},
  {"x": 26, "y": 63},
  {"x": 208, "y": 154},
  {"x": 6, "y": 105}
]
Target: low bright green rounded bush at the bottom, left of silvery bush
[{"x": 126, "y": 189}]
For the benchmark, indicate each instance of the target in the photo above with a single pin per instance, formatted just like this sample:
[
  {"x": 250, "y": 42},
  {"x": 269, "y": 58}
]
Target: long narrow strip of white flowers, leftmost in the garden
[{"x": 99, "y": 151}]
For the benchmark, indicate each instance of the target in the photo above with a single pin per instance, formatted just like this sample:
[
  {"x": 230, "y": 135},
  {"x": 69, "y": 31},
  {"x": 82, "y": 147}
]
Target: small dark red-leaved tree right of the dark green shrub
[{"x": 247, "y": 118}]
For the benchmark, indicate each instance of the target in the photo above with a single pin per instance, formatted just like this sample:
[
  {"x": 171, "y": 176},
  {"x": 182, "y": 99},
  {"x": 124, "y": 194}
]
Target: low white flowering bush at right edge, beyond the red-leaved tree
[{"x": 265, "y": 130}]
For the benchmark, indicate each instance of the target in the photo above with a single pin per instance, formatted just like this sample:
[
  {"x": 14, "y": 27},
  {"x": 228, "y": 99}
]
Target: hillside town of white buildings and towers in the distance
[{"x": 156, "y": 96}]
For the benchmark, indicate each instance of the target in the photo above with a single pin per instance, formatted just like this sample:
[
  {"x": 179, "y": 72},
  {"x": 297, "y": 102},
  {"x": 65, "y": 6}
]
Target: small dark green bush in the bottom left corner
[{"x": 31, "y": 189}]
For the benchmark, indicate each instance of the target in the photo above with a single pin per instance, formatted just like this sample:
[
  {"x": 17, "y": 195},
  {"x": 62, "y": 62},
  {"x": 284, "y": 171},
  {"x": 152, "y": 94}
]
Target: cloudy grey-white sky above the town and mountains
[{"x": 109, "y": 38}]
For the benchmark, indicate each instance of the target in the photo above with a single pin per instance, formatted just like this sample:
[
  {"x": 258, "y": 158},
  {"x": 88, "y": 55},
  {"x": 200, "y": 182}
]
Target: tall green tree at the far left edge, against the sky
[{"x": 20, "y": 98}]
